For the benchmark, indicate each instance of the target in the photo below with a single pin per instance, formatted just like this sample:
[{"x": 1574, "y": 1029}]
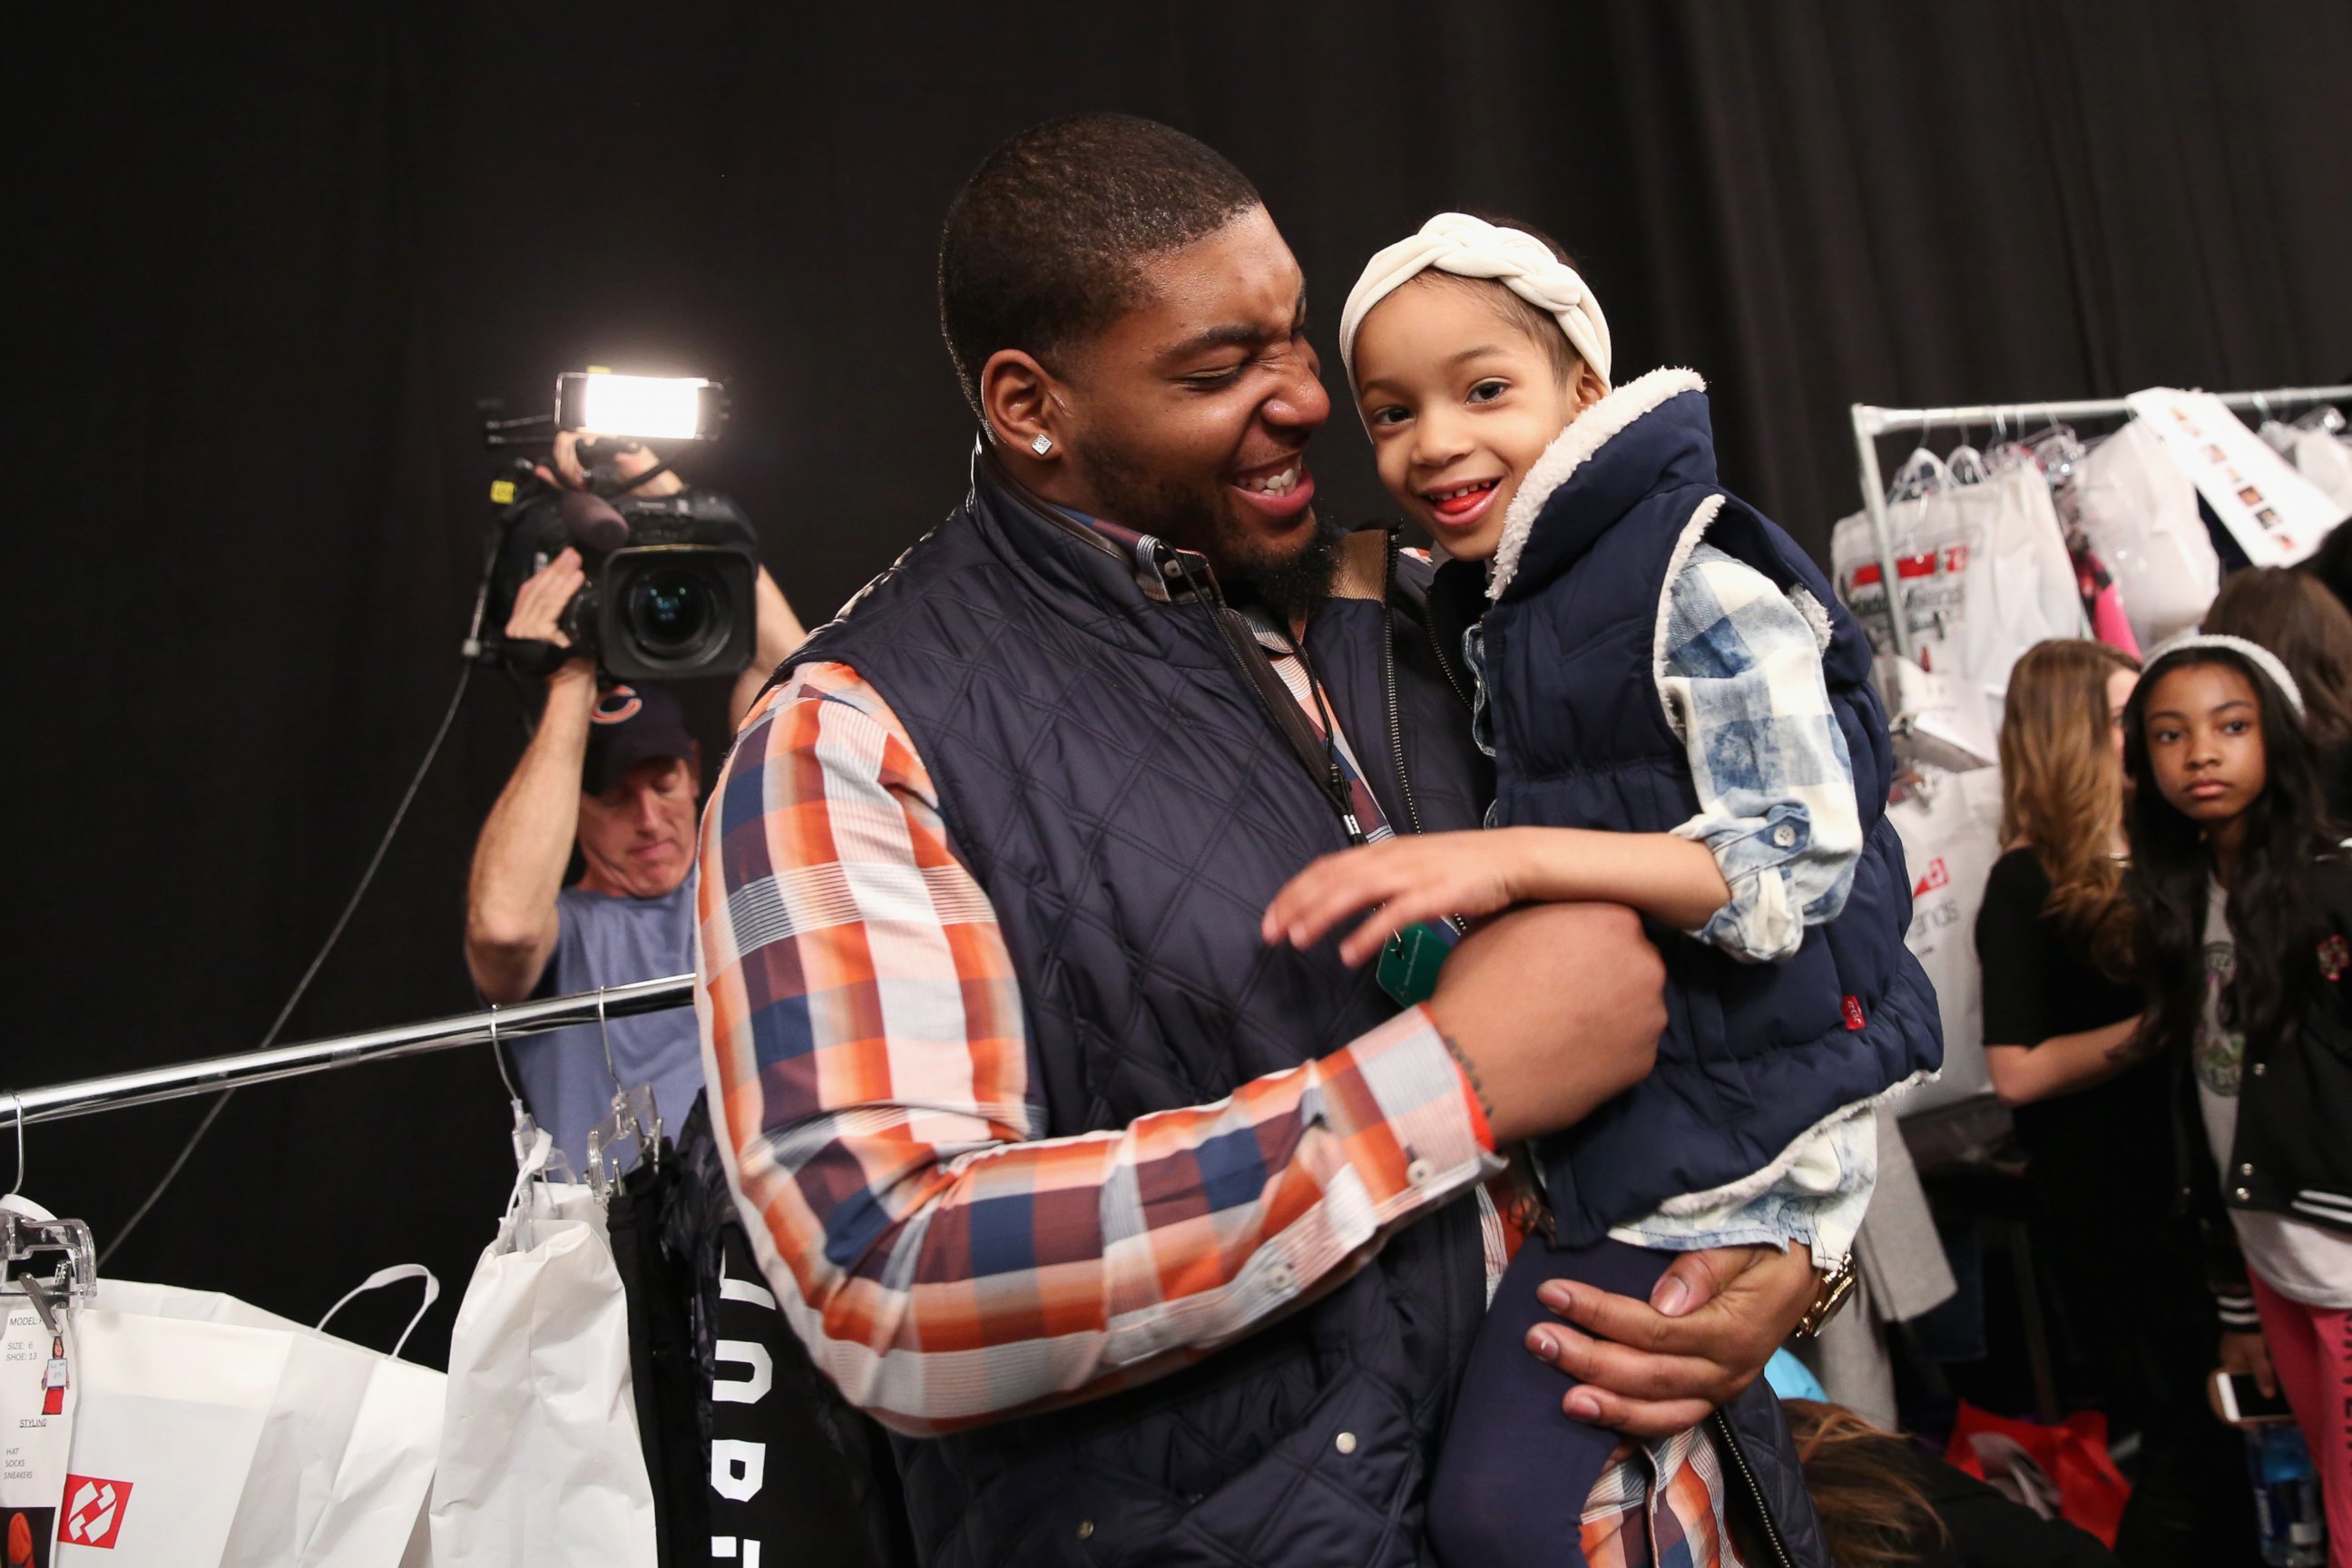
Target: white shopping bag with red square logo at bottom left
[{"x": 333, "y": 1477}]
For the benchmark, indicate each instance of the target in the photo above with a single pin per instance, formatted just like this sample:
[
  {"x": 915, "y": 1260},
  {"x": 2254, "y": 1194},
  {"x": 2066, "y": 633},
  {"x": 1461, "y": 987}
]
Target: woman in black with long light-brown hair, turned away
[{"x": 2062, "y": 1019}]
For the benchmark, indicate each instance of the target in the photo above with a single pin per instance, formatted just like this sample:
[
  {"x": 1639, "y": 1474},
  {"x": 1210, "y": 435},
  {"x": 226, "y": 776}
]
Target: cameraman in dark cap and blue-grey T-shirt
[{"x": 613, "y": 772}]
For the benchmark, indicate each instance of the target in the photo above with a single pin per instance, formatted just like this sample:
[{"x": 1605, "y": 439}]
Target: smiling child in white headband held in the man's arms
[{"x": 1683, "y": 723}]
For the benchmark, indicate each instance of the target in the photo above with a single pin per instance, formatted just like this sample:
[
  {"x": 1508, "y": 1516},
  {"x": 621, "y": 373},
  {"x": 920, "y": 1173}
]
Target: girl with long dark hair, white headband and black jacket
[{"x": 2245, "y": 906}]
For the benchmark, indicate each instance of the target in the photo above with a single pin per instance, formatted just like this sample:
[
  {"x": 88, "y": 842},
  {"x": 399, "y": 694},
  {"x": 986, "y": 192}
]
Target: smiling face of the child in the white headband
[{"x": 1462, "y": 403}]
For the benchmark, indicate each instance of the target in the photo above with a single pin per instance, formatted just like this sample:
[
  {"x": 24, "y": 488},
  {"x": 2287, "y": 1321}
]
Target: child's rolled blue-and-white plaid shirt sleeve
[{"x": 1742, "y": 676}]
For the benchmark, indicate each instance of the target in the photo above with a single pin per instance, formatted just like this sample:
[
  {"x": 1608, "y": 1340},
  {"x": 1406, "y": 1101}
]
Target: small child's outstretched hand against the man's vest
[{"x": 1403, "y": 883}]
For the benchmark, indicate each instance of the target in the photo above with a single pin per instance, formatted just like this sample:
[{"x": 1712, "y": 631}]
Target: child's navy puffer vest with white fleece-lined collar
[{"x": 1753, "y": 1054}]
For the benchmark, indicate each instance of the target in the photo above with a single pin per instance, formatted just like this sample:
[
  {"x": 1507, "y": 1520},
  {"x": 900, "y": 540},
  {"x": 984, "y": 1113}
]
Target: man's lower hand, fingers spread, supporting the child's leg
[{"x": 1706, "y": 1334}]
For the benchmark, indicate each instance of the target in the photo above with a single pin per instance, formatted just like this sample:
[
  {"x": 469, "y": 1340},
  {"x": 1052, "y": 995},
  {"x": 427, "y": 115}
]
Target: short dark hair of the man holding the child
[{"x": 1045, "y": 243}]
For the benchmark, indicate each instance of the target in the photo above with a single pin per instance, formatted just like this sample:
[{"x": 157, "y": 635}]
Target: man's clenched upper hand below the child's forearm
[{"x": 1558, "y": 1010}]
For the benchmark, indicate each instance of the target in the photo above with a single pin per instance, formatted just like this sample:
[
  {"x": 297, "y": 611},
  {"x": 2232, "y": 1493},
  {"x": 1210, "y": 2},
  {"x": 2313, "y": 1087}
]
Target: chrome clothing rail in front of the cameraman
[{"x": 152, "y": 1085}]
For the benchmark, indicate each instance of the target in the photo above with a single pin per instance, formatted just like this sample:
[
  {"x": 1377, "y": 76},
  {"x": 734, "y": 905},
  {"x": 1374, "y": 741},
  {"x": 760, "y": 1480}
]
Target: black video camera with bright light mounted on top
[{"x": 671, "y": 579}]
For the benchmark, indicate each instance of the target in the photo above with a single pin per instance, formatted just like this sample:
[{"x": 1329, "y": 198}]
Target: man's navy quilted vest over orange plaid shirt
[{"x": 1118, "y": 789}]
